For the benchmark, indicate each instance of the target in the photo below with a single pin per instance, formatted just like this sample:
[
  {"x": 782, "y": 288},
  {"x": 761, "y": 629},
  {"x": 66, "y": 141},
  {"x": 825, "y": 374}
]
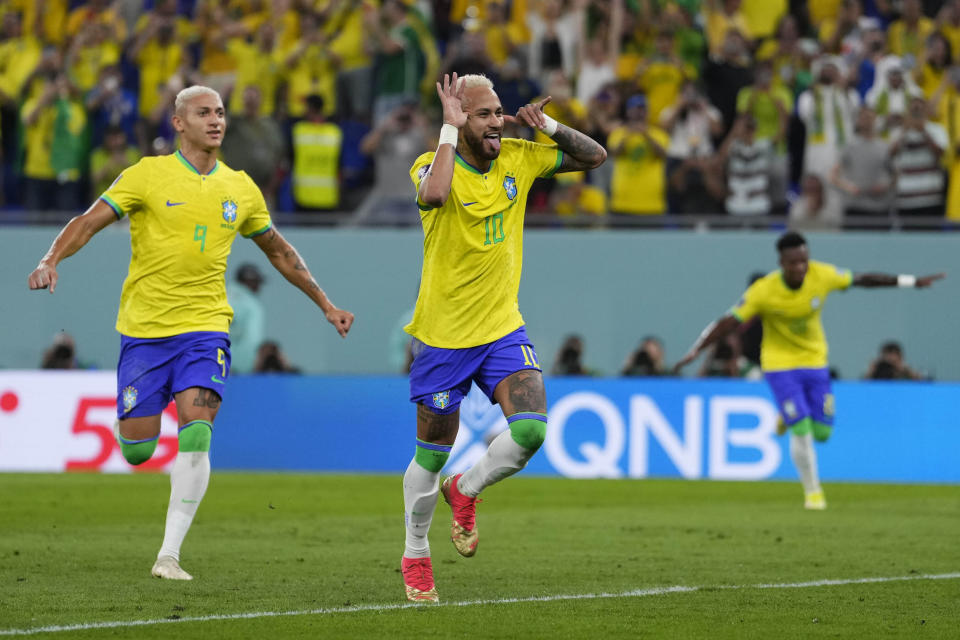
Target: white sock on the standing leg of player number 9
[{"x": 188, "y": 482}]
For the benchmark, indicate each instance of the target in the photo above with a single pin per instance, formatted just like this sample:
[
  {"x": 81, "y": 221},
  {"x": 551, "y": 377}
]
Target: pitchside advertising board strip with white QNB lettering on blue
[{"x": 725, "y": 430}]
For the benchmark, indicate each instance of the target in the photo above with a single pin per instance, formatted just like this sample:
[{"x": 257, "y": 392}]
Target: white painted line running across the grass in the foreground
[{"x": 637, "y": 593}]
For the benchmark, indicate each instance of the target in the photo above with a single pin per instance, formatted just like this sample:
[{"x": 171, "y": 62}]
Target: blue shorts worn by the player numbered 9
[{"x": 152, "y": 370}]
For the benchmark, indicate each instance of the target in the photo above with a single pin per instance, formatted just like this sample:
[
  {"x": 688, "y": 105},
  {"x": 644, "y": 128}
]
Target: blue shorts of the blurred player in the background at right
[{"x": 802, "y": 393}]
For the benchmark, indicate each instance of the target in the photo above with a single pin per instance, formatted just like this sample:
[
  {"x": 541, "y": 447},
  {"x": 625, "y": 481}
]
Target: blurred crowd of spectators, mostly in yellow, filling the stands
[{"x": 830, "y": 113}]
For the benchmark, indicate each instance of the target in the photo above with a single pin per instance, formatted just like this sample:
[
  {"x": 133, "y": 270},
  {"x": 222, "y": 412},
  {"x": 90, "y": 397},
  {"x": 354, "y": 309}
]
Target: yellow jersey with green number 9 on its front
[{"x": 182, "y": 225}]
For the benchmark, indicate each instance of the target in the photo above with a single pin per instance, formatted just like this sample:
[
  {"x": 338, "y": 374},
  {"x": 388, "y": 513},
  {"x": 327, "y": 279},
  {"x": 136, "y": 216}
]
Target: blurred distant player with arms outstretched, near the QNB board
[{"x": 793, "y": 352}]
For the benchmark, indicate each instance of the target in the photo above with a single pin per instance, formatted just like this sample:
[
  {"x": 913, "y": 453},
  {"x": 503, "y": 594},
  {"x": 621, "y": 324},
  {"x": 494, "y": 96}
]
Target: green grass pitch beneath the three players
[{"x": 77, "y": 549}]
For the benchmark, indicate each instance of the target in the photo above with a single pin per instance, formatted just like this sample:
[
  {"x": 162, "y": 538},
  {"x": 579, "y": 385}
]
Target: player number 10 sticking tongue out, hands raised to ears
[{"x": 466, "y": 326}]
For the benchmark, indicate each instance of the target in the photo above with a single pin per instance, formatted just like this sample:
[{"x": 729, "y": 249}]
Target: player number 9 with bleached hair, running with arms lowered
[{"x": 185, "y": 211}]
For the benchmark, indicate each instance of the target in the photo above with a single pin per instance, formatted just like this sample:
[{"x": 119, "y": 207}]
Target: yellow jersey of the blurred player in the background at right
[{"x": 793, "y": 335}]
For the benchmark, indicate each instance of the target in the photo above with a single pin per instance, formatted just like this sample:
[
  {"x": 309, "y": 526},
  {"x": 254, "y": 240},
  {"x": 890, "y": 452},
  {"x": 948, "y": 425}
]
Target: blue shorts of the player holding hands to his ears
[{"x": 440, "y": 378}]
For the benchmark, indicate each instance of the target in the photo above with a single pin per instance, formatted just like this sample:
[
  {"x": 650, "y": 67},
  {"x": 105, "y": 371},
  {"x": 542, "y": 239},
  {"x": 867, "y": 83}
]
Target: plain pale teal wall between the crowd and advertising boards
[{"x": 610, "y": 287}]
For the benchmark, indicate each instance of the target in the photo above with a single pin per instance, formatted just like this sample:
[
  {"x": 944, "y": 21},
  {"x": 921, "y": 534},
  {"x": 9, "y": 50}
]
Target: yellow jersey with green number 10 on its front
[{"x": 473, "y": 247}]
